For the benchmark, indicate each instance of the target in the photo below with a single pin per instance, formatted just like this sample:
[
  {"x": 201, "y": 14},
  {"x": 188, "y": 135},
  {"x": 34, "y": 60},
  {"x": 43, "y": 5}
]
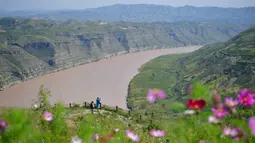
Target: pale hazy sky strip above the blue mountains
[{"x": 82, "y": 4}]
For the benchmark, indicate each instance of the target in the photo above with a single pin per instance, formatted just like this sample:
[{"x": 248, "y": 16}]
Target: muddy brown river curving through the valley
[{"x": 108, "y": 79}]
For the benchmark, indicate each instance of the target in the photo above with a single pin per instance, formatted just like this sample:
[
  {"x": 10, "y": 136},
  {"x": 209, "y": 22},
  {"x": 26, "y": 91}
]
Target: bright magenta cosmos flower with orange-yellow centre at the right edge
[{"x": 246, "y": 97}]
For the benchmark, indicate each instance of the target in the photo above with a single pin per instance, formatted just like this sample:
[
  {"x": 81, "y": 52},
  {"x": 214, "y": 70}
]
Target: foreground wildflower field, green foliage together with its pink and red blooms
[{"x": 229, "y": 120}]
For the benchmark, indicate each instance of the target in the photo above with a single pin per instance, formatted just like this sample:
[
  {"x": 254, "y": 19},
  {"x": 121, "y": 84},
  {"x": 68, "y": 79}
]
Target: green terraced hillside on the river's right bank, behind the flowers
[{"x": 227, "y": 67}]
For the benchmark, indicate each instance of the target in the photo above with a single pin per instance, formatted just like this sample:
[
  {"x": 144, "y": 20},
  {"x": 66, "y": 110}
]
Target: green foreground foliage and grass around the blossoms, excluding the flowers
[{"x": 30, "y": 125}]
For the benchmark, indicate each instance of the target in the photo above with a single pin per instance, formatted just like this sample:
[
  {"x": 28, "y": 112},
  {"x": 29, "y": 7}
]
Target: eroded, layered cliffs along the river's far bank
[{"x": 31, "y": 48}]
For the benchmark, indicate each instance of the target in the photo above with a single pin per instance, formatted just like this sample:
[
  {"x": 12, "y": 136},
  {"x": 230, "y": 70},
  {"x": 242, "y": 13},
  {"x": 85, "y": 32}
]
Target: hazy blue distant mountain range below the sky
[{"x": 146, "y": 13}]
